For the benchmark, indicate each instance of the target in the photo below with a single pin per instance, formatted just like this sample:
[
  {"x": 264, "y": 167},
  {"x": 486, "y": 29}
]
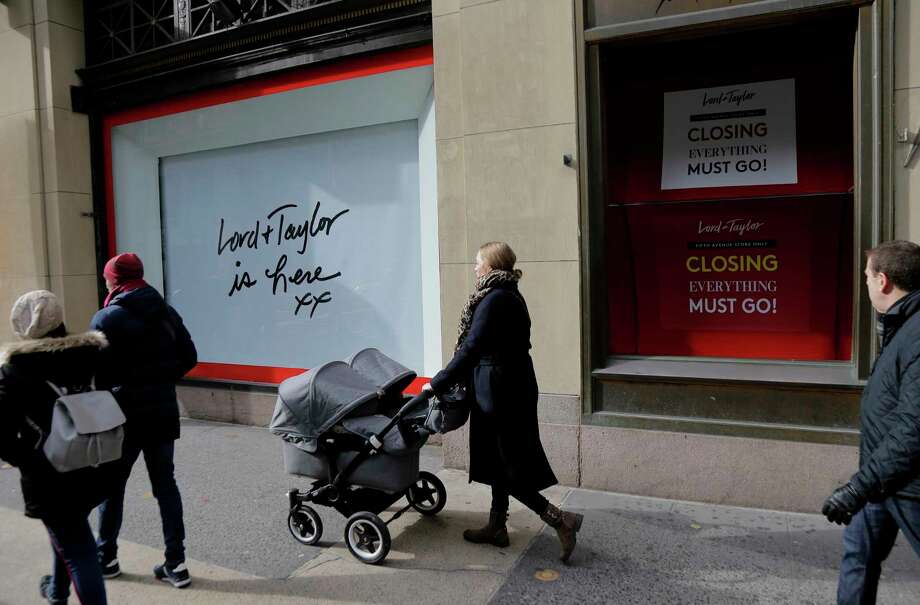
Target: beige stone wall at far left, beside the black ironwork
[{"x": 46, "y": 226}]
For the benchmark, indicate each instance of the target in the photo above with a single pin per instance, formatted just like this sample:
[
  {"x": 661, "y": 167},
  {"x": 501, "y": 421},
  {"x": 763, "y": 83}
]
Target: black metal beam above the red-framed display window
[{"x": 319, "y": 32}]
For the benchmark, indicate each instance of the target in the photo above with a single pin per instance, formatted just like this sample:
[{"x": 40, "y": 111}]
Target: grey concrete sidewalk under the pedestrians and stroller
[{"x": 631, "y": 549}]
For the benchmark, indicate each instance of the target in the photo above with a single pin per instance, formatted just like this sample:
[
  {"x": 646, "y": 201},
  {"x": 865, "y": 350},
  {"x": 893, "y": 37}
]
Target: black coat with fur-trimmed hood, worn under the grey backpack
[{"x": 69, "y": 362}]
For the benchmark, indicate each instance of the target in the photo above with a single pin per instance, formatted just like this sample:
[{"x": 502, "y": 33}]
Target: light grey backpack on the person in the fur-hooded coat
[{"x": 86, "y": 429}]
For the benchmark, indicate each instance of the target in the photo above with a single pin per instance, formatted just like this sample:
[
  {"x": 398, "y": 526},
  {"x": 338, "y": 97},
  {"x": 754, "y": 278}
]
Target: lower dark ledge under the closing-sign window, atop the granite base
[{"x": 724, "y": 428}]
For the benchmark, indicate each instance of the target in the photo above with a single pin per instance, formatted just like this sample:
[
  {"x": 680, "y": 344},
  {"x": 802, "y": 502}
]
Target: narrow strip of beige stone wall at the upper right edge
[{"x": 907, "y": 115}]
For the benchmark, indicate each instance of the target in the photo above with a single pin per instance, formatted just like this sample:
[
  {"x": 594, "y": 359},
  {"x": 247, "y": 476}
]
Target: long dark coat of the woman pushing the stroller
[{"x": 505, "y": 443}]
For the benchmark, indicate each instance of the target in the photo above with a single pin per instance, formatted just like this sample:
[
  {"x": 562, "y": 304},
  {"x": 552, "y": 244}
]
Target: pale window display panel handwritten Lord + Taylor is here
[{"x": 366, "y": 144}]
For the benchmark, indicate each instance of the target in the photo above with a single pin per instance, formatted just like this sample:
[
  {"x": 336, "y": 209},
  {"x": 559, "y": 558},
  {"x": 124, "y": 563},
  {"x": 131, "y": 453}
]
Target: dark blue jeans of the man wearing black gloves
[{"x": 867, "y": 542}]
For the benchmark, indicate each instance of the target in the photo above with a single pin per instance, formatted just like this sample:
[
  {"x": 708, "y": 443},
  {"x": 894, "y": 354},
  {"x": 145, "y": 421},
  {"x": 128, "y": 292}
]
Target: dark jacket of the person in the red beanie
[{"x": 150, "y": 350}]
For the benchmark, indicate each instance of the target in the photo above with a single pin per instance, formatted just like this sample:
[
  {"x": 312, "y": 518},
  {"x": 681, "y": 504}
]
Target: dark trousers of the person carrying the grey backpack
[{"x": 73, "y": 550}]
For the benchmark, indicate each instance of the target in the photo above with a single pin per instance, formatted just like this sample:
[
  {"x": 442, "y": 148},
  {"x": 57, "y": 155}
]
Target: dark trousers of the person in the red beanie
[{"x": 158, "y": 456}]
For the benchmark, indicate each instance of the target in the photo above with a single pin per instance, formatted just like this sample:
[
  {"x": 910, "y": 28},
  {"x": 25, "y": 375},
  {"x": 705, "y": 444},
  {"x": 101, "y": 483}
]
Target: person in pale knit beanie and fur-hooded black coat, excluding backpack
[{"x": 61, "y": 500}]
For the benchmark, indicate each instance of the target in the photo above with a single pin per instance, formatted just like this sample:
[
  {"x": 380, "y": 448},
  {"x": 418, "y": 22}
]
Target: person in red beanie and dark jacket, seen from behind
[{"x": 150, "y": 350}]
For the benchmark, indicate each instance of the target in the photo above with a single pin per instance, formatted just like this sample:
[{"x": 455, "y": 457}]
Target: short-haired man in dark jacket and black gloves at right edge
[{"x": 883, "y": 497}]
